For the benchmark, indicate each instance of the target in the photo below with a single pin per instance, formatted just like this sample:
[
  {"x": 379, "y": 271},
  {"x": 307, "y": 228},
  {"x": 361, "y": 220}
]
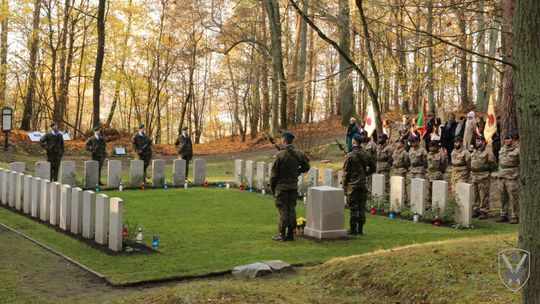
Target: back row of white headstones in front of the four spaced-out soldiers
[{"x": 67, "y": 174}]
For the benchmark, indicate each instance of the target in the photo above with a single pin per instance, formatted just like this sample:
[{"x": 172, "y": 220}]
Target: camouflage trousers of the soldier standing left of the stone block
[{"x": 286, "y": 205}]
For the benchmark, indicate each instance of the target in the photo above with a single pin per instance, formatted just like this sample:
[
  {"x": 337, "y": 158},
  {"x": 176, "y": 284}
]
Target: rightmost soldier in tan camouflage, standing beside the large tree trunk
[{"x": 508, "y": 178}]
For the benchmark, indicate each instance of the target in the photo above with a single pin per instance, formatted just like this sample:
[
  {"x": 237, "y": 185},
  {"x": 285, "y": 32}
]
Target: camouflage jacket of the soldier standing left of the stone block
[{"x": 289, "y": 164}]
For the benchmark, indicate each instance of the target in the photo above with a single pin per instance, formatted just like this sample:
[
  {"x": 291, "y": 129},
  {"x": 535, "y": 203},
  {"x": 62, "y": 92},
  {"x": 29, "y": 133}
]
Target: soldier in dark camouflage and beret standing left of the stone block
[{"x": 289, "y": 164}]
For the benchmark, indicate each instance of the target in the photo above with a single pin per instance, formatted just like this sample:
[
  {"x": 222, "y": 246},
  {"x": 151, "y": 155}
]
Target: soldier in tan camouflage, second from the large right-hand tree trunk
[{"x": 482, "y": 164}]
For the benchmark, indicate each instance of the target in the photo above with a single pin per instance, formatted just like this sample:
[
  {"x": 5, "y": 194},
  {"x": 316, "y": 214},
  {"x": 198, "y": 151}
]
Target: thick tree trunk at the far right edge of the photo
[{"x": 527, "y": 58}]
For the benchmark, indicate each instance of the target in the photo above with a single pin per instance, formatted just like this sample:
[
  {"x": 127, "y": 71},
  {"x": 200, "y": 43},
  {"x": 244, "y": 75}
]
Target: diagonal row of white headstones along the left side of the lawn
[{"x": 95, "y": 217}]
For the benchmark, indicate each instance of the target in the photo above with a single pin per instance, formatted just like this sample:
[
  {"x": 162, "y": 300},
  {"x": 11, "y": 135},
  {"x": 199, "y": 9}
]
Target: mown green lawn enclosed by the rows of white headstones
[{"x": 205, "y": 231}]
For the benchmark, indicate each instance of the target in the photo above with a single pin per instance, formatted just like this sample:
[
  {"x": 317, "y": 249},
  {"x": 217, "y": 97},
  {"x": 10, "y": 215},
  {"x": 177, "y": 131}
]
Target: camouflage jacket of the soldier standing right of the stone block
[{"x": 358, "y": 164}]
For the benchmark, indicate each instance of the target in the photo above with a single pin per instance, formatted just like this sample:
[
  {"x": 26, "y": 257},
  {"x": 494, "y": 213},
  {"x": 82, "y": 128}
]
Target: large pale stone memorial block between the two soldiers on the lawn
[{"x": 325, "y": 213}]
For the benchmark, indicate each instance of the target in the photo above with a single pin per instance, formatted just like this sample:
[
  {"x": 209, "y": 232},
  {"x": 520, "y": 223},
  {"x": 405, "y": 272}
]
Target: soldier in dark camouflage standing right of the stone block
[{"x": 358, "y": 164}]
